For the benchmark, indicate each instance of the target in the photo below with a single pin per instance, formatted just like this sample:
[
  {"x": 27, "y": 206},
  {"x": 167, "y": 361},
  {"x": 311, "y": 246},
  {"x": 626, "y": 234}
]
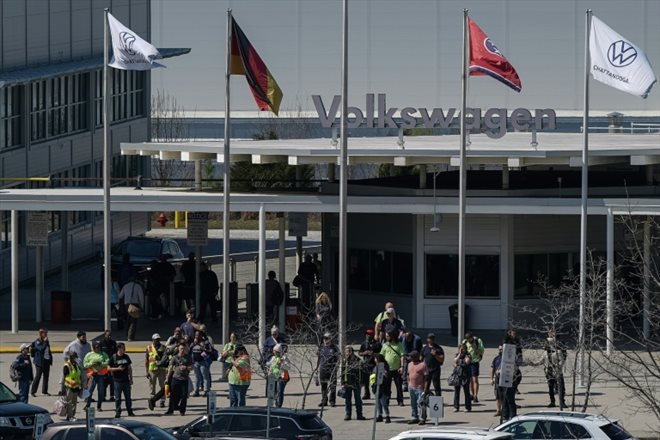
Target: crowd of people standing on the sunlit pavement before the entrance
[{"x": 180, "y": 368}]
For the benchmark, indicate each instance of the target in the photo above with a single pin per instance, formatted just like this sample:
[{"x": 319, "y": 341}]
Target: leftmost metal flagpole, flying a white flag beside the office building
[{"x": 107, "y": 232}]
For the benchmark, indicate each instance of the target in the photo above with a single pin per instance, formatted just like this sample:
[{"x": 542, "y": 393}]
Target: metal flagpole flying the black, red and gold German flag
[{"x": 226, "y": 191}]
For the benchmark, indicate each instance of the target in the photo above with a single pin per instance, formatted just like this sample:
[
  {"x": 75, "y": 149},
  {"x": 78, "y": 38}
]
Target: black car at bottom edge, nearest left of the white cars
[{"x": 289, "y": 424}]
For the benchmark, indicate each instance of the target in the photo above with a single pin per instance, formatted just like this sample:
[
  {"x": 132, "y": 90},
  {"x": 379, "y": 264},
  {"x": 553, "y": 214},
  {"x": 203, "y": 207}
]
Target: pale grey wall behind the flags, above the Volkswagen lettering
[{"x": 408, "y": 49}]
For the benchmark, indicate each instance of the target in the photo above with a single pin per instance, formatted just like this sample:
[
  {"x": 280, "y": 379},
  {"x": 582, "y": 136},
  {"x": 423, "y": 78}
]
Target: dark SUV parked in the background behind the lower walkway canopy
[{"x": 142, "y": 251}]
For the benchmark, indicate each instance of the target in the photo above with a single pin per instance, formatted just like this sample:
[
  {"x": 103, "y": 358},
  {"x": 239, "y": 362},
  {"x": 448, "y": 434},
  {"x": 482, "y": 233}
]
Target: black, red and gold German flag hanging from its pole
[{"x": 246, "y": 61}]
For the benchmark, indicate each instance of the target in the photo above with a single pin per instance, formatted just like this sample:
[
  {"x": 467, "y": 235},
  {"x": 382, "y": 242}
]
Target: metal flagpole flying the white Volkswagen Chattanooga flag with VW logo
[{"x": 583, "y": 201}]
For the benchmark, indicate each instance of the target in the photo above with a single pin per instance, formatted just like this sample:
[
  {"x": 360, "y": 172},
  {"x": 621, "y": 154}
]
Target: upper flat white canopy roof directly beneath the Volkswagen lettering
[{"x": 514, "y": 150}]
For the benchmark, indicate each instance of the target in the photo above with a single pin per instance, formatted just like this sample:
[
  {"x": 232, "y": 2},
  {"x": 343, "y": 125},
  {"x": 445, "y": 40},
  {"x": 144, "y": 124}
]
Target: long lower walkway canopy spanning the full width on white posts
[{"x": 156, "y": 199}]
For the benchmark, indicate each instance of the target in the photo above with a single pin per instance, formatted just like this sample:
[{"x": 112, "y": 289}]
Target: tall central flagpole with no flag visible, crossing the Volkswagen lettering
[{"x": 343, "y": 180}]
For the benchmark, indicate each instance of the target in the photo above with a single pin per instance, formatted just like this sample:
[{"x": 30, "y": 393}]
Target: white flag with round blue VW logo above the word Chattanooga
[{"x": 617, "y": 62}]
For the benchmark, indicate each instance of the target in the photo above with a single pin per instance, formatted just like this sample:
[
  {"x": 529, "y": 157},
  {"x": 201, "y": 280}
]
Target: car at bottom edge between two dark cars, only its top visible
[{"x": 107, "y": 429}]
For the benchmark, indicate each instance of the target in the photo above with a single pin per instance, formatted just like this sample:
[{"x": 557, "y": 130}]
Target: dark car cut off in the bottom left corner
[{"x": 17, "y": 419}]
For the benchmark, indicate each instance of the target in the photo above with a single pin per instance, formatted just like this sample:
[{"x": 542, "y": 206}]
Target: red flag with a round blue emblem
[{"x": 486, "y": 59}]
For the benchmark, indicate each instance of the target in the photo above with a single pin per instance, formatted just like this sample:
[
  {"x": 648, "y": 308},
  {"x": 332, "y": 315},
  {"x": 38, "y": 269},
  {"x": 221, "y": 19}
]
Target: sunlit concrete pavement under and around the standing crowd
[{"x": 607, "y": 396}]
